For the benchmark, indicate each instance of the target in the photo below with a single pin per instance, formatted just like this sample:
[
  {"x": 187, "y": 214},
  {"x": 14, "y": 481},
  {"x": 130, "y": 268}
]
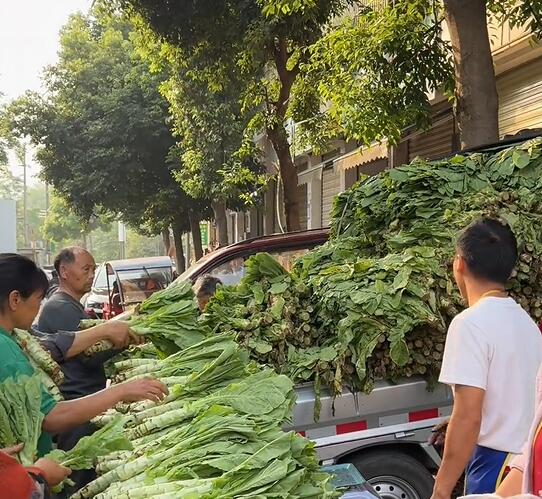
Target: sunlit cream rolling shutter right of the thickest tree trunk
[{"x": 520, "y": 98}]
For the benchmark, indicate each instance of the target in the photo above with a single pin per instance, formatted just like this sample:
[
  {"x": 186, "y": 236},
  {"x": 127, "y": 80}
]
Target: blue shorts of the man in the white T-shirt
[{"x": 485, "y": 471}]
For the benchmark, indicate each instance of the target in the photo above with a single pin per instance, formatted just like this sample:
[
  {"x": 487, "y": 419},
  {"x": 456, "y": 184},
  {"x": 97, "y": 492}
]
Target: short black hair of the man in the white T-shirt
[{"x": 489, "y": 249}]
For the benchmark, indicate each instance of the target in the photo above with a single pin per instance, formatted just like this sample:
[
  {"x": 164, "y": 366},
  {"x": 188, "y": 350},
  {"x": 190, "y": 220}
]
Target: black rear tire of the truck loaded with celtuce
[{"x": 395, "y": 475}]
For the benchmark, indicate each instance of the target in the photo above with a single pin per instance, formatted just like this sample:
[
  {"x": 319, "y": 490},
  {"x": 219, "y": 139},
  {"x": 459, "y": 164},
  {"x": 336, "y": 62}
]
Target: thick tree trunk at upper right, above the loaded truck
[{"x": 477, "y": 102}]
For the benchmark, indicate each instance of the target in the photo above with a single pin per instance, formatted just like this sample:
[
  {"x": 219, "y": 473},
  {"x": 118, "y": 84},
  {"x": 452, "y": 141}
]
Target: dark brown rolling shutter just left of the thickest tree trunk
[{"x": 437, "y": 142}]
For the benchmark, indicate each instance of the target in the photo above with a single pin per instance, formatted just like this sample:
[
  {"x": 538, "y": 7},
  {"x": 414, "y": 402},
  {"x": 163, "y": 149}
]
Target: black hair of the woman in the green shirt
[{"x": 19, "y": 273}]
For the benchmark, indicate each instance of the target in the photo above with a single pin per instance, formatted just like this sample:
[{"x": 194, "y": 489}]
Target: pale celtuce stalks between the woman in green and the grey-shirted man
[{"x": 42, "y": 362}]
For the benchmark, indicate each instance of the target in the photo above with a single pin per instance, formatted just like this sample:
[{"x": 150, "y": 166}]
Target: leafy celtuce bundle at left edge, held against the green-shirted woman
[{"x": 20, "y": 415}]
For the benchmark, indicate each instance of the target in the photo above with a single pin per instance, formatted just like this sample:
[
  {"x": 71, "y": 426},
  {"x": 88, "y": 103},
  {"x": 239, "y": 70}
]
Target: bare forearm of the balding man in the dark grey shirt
[{"x": 117, "y": 332}]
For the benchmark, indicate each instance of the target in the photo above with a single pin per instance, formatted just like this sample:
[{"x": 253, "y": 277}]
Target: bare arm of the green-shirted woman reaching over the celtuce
[{"x": 71, "y": 413}]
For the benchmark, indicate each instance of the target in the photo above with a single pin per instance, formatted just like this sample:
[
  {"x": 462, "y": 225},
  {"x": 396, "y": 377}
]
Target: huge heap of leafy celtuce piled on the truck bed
[{"x": 375, "y": 301}]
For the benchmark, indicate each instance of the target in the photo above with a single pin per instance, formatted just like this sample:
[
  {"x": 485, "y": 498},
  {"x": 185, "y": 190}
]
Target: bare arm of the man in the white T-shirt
[{"x": 461, "y": 438}]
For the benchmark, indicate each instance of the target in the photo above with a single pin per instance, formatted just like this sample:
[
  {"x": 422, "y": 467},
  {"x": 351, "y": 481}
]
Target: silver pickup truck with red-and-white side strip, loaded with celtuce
[{"x": 384, "y": 434}]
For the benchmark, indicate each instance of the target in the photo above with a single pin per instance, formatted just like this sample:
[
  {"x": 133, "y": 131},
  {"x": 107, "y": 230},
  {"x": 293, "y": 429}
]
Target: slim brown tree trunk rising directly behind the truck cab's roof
[{"x": 288, "y": 175}]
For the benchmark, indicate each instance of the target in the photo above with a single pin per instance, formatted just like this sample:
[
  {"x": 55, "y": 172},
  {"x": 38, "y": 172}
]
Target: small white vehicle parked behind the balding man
[{"x": 121, "y": 284}]
